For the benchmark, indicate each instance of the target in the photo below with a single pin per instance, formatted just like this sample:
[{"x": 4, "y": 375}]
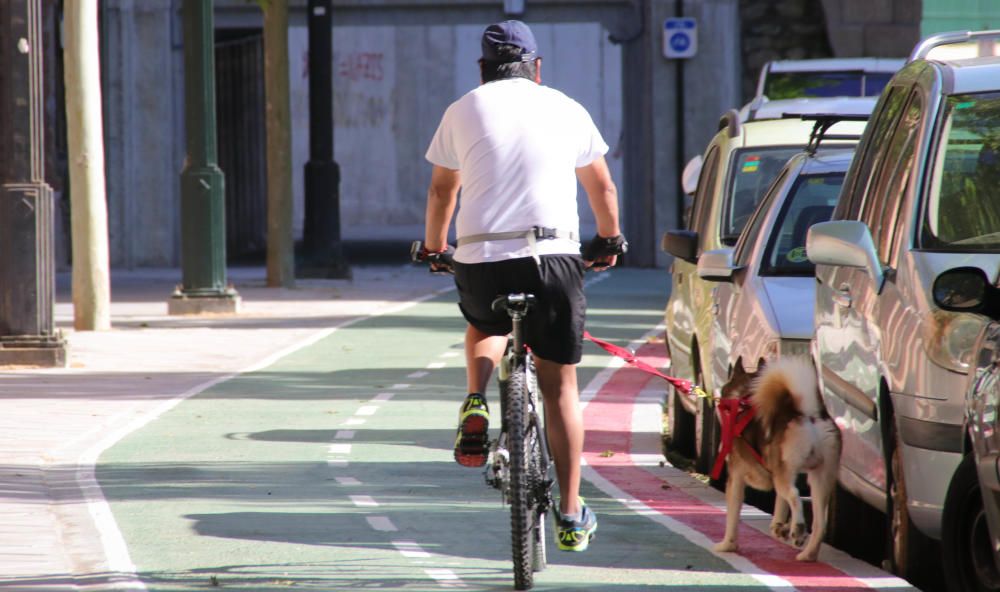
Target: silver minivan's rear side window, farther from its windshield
[{"x": 870, "y": 153}]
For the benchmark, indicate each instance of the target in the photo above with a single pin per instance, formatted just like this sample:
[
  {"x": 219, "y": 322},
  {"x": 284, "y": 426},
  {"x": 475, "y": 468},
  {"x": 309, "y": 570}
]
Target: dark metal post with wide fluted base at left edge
[{"x": 27, "y": 244}]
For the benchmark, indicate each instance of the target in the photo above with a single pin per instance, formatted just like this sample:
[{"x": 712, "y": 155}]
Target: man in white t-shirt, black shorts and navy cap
[{"x": 516, "y": 149}]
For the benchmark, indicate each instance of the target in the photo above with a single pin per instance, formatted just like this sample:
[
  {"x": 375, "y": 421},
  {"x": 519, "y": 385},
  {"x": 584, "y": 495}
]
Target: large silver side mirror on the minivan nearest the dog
[{"x": 846, "y": 243}]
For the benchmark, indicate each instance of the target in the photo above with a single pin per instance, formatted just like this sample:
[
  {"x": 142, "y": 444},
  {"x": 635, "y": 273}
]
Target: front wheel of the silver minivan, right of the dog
[{"x": 905, "y": 544}]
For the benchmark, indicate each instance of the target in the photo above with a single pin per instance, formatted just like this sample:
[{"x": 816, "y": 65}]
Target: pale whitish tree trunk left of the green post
[{"x": 88, "y": 206}]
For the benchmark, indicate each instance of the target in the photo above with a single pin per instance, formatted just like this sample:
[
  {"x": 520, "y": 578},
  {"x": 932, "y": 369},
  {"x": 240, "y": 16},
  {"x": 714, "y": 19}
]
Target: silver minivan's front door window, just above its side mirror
[{"x": 889, "y": 188}]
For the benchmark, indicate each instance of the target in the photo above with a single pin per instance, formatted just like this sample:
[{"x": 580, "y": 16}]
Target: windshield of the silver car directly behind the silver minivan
[{"x": 810, "y": 200}]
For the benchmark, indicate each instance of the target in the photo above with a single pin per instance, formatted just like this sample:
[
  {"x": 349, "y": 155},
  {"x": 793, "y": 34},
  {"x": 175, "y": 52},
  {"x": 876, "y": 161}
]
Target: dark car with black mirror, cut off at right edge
[{"x": 970, "y": 525}]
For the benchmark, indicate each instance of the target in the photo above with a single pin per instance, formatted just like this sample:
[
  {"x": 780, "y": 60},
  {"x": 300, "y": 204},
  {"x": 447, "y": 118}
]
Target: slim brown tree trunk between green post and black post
[{"x": 280, "y": 243}]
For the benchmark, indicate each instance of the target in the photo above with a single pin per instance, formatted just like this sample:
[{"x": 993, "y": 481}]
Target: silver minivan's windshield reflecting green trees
[{"x": 963, "y": 205}]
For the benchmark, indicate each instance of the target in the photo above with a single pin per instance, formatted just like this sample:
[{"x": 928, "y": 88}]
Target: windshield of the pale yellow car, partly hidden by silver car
[{"x": 753, "y": 172}]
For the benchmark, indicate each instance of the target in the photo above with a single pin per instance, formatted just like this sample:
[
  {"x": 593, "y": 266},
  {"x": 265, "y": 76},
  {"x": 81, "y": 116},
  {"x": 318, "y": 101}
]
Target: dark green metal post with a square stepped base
[{"x": 203, "y": 230}]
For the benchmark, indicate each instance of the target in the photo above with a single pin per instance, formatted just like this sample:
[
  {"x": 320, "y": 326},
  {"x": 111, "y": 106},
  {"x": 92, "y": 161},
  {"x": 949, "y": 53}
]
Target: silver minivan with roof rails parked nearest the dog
[{"x": 920, "y": 197}]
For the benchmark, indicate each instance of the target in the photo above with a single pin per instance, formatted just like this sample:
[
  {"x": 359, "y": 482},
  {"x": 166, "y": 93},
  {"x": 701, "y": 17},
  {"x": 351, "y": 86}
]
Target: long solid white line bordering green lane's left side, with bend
[{"x": 112, "y": 541}]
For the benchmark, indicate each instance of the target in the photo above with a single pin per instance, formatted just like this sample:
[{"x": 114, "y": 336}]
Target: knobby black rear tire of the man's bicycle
[{"x": 522, "y": 519}]
